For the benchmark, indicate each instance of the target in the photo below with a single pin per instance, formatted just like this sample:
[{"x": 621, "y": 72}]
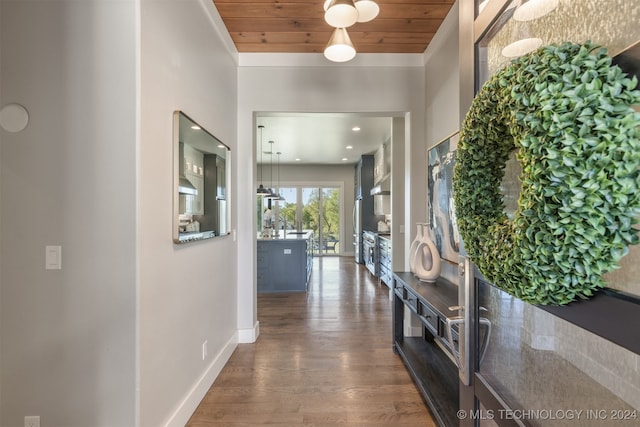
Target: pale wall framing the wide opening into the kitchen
[{"x": 335, "y": 88}]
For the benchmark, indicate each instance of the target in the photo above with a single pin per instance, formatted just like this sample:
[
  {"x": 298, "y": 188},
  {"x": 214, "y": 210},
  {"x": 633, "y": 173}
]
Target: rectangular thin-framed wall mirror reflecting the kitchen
[{"x": 200, "y": 182}]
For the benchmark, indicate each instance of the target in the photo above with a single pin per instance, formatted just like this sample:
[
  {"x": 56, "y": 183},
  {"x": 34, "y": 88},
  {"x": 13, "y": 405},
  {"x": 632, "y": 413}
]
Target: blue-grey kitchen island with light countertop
[{"x": 284, "y": 262}]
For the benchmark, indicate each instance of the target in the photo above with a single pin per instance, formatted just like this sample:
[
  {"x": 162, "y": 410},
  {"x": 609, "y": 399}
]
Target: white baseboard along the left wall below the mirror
[{"x": 193, "y": 398}]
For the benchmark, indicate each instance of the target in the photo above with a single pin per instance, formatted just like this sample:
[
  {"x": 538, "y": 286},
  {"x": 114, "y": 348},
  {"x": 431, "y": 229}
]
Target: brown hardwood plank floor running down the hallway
[{"x": 323, "y": 358}]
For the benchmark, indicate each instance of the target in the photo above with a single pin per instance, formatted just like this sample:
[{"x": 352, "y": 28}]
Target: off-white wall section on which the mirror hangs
[{"x": 187, "y": 293}]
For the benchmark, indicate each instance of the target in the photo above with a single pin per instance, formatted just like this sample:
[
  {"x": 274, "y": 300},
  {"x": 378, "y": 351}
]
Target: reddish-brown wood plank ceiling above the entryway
[{"x": 298, "y": 26}]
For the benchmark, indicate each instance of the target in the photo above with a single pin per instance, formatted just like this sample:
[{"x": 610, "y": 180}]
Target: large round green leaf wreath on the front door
[{"x": 568, "y": 112}]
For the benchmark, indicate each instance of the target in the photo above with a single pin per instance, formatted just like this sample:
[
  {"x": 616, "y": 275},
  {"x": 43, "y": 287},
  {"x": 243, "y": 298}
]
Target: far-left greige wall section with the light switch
[{"x": 68, "y": 336}]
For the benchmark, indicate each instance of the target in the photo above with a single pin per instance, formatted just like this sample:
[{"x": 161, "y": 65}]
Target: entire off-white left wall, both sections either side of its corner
[{"x": 115, "y": 337}]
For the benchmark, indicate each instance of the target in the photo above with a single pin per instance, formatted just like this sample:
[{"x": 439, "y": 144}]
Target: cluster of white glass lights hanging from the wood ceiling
[{"x": 342, "y": 14}]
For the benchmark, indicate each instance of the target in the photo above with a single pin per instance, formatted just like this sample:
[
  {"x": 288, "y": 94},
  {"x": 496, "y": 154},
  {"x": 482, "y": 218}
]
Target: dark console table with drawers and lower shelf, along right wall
[{"x": 426, "y": 357}]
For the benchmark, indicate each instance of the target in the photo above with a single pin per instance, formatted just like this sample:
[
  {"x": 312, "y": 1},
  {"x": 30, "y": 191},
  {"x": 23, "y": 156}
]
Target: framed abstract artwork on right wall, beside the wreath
[{"x": 442, "y": 213}]
